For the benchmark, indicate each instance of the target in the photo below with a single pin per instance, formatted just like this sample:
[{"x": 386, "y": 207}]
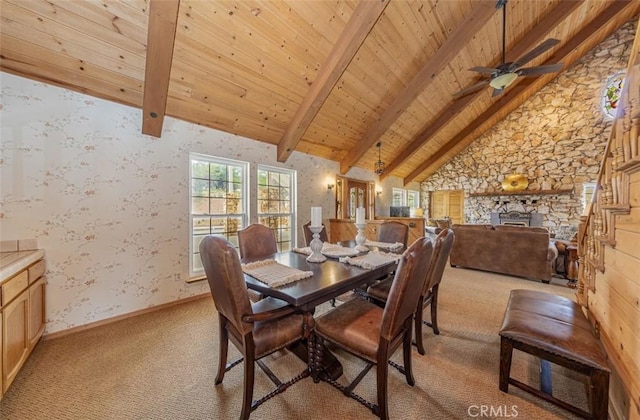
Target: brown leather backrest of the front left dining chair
[{"x": 226, "y": 281}]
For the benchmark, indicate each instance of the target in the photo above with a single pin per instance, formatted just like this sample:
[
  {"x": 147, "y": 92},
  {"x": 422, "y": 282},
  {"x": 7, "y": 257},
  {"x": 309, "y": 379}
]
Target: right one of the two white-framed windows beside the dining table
[{"x": 276, "y": 203}]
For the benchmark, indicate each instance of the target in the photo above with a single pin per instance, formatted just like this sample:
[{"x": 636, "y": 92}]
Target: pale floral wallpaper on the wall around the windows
[{"x": 108, "y": 204}]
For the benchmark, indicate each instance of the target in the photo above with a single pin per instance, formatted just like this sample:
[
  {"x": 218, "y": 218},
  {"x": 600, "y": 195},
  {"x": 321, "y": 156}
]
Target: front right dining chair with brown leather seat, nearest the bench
[{"x": 373, "y": 334}]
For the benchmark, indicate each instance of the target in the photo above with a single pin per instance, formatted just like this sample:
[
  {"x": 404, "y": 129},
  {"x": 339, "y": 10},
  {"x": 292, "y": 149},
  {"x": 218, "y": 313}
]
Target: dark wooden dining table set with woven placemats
[{"x": 330, "y": 279}]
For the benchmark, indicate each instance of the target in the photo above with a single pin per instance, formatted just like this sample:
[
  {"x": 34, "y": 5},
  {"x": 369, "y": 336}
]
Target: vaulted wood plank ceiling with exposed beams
[{"x": 327, "y": 78}]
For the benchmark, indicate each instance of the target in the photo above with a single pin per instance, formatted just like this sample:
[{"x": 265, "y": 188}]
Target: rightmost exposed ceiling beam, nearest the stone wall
[{"x": 514, "y": 96}]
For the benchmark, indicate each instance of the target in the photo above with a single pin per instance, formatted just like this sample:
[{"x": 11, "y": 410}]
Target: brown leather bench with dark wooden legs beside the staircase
[{"x": 554, "y": 329}]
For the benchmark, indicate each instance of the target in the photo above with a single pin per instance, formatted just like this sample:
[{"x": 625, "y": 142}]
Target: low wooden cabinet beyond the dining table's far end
[{"x": 345, "y": 229}]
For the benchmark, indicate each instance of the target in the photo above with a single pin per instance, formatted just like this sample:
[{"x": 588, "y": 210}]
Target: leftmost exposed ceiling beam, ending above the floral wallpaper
[{"x": 163, "y": 16}]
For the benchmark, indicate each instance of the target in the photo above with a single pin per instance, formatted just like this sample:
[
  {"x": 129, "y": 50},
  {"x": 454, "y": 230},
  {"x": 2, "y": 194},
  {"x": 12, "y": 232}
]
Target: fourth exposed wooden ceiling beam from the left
[{"x": 530, "y": 40}]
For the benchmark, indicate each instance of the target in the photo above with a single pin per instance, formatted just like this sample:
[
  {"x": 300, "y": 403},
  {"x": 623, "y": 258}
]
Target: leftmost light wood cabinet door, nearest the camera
[{"x": 15, "y": 338}]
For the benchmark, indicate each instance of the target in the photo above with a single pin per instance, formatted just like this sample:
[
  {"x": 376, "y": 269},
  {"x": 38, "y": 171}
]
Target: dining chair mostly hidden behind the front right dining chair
[{"x": 429, "y": 296}]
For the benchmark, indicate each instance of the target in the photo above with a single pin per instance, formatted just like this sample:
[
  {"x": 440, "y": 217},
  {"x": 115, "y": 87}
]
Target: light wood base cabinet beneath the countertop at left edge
[{"x": 23, "y": 319}]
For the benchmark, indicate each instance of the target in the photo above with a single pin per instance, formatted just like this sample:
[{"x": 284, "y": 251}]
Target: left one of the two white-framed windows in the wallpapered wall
[{"x": 218, "y": 202}]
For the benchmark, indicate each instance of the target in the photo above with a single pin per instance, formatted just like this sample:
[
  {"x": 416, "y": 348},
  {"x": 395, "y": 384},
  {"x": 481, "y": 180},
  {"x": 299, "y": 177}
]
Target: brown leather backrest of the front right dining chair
[{"x": 410, "y": 276}]
